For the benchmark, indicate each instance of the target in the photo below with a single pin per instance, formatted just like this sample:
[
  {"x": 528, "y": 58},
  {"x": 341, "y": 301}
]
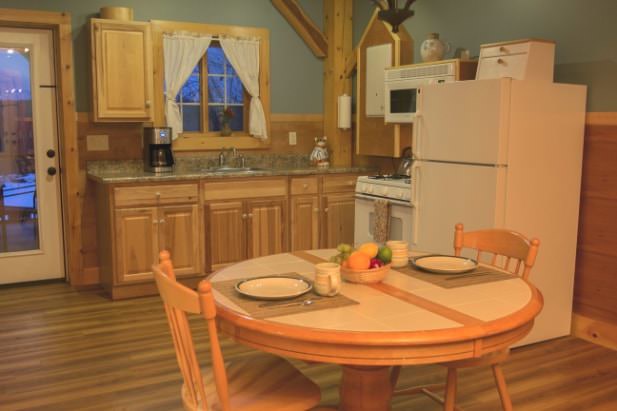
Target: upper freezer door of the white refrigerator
[{"x": 465, "y": 121}]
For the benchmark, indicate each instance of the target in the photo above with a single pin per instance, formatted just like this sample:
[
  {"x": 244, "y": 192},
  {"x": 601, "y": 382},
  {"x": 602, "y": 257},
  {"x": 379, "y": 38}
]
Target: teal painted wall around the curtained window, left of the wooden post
[{"x": 296, "y": 75}]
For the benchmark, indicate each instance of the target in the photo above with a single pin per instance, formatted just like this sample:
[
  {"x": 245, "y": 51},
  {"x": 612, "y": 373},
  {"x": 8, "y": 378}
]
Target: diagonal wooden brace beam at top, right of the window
[{"x": 304, "y": 26}]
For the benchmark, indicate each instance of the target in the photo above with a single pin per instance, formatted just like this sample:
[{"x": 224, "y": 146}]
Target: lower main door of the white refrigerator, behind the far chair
[{"x": 445, "y": 194}]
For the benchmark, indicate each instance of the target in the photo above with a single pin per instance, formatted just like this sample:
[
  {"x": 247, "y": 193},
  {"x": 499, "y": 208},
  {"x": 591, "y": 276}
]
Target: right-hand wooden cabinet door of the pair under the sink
[{"x": 266, "y": 227}]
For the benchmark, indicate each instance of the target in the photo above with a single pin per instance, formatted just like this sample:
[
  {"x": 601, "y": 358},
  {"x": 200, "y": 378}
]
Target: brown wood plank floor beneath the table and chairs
[{"x": 61, "y": 349}]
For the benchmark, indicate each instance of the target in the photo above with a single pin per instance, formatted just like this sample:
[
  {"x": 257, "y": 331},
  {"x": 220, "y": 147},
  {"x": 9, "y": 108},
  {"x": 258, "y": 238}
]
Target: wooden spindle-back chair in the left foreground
[{"x": 258, "y": 383}]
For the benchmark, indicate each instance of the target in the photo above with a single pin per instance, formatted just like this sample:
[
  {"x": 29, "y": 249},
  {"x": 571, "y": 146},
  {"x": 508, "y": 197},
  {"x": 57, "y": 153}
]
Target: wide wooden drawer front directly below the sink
[{"x": 252, "y": 187}]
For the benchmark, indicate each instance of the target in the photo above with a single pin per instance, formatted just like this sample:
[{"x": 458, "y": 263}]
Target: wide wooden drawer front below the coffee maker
[{"x": 155, "y": 195}]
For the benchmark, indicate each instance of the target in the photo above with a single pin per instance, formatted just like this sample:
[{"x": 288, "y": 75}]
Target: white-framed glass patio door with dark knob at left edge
[{"x": 31, "y": 243}]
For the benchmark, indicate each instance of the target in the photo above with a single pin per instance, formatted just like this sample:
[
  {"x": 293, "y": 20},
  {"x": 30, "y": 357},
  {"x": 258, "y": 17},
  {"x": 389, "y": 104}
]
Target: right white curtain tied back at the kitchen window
[{"x": 243, "y": 55}]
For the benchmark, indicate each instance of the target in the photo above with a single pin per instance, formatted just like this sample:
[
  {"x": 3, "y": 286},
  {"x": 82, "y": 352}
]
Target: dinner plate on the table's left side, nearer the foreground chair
[{"x": 273, "y": 287}]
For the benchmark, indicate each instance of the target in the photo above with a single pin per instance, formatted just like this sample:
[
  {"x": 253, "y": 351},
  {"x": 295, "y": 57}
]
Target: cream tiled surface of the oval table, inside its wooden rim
[{"x": 429, "y": 308}]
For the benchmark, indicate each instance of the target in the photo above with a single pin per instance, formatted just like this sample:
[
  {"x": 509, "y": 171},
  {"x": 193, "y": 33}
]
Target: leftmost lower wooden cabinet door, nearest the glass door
[{"x": 136, "y": 243}]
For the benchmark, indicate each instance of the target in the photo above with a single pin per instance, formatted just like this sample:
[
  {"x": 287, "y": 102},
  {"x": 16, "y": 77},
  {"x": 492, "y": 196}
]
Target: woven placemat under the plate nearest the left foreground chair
[{"x": 276, "y": 308}]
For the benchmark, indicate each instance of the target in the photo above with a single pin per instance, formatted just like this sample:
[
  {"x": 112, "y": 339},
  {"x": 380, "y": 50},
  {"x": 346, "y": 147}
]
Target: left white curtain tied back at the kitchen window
[{"x": 181, "y": 52}]
